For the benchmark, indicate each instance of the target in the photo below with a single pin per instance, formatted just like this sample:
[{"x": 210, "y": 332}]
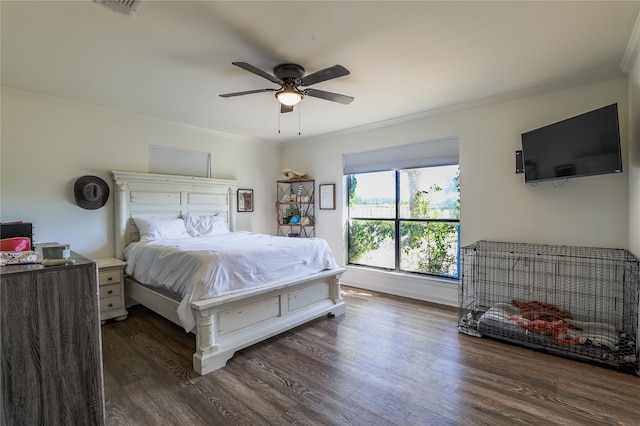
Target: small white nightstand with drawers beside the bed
[{"x": 111, "y": 283}]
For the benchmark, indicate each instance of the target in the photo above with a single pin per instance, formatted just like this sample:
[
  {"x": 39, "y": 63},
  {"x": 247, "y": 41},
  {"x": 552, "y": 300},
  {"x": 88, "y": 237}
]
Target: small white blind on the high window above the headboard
[{"x": 175, "y": 161}]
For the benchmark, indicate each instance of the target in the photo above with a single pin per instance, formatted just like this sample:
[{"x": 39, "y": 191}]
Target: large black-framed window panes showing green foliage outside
[{"x": 406, "y": 220}]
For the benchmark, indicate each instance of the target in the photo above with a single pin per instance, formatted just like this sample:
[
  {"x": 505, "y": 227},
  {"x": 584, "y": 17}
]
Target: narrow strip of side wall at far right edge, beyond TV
[{"x": 634, "y": 159}]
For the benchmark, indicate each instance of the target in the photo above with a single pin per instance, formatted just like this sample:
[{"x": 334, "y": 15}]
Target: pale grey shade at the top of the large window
[{"x": 437, "y": 152}]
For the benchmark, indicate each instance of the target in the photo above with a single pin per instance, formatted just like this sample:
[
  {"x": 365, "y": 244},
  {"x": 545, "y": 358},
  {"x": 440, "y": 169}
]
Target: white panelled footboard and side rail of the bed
[{"x": 227, "y": 324}]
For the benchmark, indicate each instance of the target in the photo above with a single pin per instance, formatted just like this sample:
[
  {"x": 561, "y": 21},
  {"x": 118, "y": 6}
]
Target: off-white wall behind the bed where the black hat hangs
[{"x": 48, "y": 142}]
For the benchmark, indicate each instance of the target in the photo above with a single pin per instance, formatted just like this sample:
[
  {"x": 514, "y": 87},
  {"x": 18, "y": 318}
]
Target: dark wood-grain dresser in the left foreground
[{"x": 51, "y": 345}]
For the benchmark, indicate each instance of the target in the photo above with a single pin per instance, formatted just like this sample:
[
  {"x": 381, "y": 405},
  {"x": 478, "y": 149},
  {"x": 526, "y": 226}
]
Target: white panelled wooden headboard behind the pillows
[{"x": 150, "y": 195}]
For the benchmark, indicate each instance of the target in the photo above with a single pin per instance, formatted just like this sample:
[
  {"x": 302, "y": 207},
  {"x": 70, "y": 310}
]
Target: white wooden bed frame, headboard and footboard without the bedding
[{"x": 228, "y": 323}]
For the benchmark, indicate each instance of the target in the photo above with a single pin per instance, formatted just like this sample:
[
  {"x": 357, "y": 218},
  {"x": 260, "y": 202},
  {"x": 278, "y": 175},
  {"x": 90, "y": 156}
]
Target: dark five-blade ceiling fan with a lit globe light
[{"x": 290, "y": 77}]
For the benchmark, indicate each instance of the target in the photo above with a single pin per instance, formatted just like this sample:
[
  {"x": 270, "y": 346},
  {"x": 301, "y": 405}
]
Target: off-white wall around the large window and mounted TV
[{"x": 495, "y": 202}]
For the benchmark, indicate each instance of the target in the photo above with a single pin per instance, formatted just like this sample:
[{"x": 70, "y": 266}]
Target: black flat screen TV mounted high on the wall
[{"x": 585, "y": 145}]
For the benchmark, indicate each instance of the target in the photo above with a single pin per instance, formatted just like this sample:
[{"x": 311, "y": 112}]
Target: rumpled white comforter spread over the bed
[{"x": 204, "y": 267}]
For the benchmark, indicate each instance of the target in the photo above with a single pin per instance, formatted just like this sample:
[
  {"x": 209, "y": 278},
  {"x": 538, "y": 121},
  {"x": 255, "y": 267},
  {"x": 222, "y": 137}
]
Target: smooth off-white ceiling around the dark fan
[{"x": 173, "y": 58}]
